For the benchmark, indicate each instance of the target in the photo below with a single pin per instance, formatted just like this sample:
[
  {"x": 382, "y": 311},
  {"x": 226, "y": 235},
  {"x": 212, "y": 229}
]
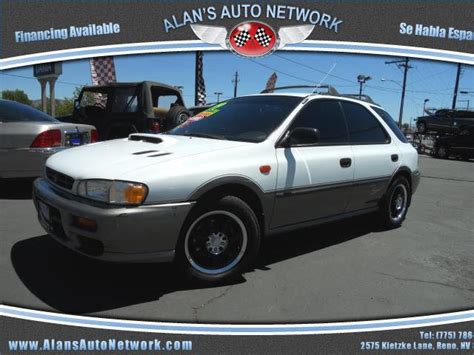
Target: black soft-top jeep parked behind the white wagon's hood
[{"x": 119, "y": 109}]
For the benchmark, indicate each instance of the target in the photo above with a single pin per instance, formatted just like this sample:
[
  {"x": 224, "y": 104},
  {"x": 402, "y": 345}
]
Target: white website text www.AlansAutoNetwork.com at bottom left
[{"x": 99, "y": 345}]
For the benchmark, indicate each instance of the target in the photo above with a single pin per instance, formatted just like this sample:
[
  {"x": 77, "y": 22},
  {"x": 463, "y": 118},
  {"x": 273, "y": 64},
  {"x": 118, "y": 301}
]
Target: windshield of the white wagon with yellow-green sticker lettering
[{"x": 247, "y": 119}]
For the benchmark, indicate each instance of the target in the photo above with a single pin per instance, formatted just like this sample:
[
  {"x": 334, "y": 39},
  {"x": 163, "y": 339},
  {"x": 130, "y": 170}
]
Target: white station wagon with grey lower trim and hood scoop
[{"x": 208, "y": 191}]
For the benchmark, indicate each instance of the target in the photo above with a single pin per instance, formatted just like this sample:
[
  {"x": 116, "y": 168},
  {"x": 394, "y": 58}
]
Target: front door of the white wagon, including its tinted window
[{"x": 314, "y": 180}]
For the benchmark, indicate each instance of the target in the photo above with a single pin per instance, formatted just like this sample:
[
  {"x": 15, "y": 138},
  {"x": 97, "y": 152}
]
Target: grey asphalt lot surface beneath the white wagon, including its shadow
[{"x": 341, "y": 271}]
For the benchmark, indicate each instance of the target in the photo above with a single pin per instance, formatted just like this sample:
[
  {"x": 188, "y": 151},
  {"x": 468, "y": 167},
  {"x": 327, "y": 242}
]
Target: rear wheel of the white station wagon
[{"x": 394, "y": 206}]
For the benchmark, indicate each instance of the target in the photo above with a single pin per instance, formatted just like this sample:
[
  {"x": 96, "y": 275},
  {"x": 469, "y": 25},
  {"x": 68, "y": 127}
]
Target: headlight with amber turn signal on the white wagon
[{"x": 117, "y": 192}]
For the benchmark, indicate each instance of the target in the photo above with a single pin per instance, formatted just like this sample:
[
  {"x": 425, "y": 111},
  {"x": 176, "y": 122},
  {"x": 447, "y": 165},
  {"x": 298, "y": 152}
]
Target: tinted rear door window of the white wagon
[{"x": 363, "y": 126}]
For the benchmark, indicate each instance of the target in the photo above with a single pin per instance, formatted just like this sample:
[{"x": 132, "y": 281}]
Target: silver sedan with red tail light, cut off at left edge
[{"x": 28, "y": 137}]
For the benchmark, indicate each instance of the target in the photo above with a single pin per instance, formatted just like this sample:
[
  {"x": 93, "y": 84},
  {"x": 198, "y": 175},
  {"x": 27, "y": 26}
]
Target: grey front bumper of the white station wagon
[{"x": 123, "y": 234}]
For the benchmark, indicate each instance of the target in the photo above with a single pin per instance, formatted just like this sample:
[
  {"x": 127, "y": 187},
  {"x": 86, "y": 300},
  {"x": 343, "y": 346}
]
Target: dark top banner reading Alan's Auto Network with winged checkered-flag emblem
[{"x": 84, "y": 29}]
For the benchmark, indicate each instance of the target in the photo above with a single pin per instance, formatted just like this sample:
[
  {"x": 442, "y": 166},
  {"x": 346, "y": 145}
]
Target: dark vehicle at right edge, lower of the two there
[{"x": 461, "y": 145}]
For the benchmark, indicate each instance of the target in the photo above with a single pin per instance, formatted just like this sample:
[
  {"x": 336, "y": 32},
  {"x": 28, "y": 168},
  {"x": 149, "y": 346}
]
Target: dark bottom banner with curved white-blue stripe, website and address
[{"x": 52, "y": 332}]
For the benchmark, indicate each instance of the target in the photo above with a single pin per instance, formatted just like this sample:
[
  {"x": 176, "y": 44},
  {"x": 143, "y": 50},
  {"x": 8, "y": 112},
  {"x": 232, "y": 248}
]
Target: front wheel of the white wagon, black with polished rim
[{"x": 219, "y": 240}]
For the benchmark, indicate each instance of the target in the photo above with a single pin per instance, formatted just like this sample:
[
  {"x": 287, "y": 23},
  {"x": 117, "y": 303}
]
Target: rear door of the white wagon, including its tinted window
[{"x": 375, "y": 155}]
